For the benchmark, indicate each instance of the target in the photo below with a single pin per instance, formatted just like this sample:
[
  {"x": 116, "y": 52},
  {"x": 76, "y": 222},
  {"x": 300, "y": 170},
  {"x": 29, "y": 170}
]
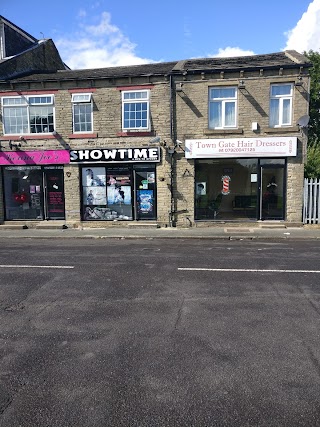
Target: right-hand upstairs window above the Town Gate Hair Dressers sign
[{"x": 280, "y": 105}]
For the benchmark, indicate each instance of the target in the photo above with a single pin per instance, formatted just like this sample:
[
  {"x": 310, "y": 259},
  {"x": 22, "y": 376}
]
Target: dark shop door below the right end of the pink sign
[{"x": 53, "y": 193}]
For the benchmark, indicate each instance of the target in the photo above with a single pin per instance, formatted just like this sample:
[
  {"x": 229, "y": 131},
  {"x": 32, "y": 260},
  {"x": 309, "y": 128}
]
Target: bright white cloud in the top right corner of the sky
[{"x": 305, "y": 35}]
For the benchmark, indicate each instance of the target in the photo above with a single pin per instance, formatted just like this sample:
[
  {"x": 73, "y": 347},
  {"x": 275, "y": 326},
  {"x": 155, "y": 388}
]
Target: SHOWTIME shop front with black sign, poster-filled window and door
[{"x": 117, "y": 184}]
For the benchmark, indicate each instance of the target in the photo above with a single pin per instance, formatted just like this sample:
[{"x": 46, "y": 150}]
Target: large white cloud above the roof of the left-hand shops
[{"x": 98, "y": 46}]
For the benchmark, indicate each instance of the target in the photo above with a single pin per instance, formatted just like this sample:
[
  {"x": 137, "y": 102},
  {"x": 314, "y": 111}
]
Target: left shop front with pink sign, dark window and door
[{"x": 33, "y": 184}]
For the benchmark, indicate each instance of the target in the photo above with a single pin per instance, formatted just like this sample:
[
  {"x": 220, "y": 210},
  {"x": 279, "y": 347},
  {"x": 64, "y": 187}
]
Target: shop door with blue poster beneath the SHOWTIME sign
[{"x": 145, "y": 198}]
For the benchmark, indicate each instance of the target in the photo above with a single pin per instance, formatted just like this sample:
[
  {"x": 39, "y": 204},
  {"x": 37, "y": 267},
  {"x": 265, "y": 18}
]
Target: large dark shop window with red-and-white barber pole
[{"x": 226, "y": 189}]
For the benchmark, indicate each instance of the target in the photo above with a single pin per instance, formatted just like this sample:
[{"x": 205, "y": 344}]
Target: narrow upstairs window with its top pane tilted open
[{"x": 82, "y": 112}]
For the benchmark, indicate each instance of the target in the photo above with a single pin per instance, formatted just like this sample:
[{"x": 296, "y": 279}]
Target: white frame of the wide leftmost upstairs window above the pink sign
[{"x": 28, "y": 102}]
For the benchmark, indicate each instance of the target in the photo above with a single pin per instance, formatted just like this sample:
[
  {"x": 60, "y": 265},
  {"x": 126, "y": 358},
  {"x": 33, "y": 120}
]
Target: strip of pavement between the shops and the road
[{"x": 222, "y": 231}]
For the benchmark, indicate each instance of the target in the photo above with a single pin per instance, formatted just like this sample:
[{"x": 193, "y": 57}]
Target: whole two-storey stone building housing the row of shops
[{"x": 183, "y": 143}]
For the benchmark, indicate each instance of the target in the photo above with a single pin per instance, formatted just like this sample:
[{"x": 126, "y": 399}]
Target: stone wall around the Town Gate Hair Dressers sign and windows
[{"x": 253, "y": 106}]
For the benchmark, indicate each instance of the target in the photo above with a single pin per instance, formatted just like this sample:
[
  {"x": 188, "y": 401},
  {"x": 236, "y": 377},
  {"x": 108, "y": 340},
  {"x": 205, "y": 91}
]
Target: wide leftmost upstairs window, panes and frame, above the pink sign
[{"x": 28, "y": 114}]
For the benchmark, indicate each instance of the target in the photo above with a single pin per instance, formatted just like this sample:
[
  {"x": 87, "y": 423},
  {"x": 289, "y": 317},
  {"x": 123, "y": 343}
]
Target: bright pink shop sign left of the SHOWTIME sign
[{"x": 47, "y": 157}]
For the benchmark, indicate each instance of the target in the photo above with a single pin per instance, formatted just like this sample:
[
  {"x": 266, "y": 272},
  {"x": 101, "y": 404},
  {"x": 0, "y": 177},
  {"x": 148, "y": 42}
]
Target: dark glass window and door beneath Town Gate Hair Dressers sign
[{"x": 236, "y": 189}]
